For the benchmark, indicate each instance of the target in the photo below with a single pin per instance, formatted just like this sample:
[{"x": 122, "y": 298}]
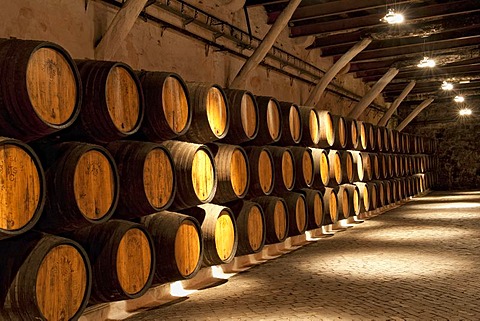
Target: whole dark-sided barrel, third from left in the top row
[{"x": 168, "y": 113}]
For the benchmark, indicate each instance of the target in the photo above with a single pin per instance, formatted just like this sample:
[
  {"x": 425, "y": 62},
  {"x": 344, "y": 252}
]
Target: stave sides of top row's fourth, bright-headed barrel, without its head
[{"x": 199, "y": 131}]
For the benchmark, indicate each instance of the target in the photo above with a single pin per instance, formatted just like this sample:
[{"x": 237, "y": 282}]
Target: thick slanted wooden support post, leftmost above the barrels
[{"x": 118, "y": 29}]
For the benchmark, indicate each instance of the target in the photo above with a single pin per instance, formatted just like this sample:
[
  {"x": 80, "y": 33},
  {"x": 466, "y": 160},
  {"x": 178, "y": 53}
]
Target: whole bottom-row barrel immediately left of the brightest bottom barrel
[{"x": 178, "y": 245}]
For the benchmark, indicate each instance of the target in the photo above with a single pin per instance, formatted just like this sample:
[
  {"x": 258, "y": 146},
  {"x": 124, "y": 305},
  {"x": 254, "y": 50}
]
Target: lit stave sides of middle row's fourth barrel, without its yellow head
[{"x": 186, "y": 196}]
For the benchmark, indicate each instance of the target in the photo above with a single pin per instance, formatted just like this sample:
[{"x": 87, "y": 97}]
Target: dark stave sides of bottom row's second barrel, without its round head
[{"x": 106, "y": 287}]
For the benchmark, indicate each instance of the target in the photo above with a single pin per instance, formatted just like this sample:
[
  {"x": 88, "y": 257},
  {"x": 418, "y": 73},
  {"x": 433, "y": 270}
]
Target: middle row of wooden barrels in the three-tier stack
[{"x": 86, "y": 184}]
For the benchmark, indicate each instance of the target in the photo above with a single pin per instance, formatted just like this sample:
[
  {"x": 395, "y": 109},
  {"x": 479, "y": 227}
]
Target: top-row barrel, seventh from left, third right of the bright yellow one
[{"x": 292, "y": 124}]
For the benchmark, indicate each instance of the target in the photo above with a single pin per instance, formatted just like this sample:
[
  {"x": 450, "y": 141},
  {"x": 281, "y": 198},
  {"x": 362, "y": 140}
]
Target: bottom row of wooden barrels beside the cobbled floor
[{"x": 55, "y": 277}]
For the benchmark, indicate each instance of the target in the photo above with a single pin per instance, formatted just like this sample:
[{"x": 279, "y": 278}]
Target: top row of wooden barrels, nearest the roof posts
[{"x": 43, "y": 91}]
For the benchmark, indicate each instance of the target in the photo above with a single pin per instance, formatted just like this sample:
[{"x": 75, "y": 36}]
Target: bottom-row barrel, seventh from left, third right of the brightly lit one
[{"x": 297, "y": 213}]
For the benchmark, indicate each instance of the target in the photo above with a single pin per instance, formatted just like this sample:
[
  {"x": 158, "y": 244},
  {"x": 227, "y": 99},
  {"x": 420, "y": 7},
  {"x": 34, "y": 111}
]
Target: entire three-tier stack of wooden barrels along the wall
[{"x": 112, "y": 180}]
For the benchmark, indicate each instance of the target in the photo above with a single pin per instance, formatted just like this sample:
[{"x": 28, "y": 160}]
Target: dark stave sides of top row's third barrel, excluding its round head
[{"x": 154, "y": 126}]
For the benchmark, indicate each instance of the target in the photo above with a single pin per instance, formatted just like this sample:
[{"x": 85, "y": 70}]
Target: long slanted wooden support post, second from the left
[{"x": 266, "y": 44}]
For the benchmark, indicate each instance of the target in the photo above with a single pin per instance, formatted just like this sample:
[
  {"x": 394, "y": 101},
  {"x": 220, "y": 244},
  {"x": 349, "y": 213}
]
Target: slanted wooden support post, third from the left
[{"x": 317, "y": 92}]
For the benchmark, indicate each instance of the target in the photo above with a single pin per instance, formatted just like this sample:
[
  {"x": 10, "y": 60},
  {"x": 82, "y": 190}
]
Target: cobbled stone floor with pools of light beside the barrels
[{"x": 420, "y": 261}]
